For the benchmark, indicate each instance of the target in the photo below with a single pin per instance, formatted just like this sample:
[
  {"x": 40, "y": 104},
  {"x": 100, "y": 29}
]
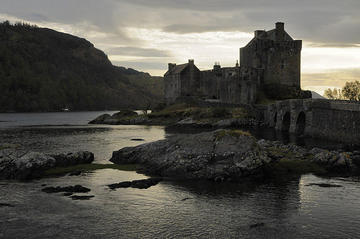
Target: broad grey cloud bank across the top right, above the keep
[{"x": 317, "y": 21}]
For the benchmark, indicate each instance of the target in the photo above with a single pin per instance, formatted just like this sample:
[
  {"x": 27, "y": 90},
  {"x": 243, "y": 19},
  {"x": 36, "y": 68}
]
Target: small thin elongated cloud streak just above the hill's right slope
[{"x": 137, "y": 51}]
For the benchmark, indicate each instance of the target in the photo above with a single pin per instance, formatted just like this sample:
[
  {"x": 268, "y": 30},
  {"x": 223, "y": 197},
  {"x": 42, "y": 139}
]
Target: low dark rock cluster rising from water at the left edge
[{"x": 32, "y": 164}]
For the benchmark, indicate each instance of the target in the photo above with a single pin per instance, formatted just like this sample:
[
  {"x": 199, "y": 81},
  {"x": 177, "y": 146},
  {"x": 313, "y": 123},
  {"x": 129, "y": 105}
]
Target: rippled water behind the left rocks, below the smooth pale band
[{"x": 101, "y": 140}]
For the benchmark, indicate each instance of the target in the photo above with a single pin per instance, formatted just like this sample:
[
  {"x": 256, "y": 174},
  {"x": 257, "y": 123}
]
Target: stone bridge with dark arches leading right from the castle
[{"x": 331, "y": 119}]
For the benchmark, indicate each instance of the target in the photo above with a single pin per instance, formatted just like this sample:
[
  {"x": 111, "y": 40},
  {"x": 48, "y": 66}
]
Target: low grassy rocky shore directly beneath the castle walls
[{"x": 195, "y": 117}]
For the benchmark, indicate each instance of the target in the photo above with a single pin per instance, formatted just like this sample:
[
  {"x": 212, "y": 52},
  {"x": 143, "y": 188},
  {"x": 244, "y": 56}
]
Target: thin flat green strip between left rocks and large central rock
[{"x": 88, "y": 168}]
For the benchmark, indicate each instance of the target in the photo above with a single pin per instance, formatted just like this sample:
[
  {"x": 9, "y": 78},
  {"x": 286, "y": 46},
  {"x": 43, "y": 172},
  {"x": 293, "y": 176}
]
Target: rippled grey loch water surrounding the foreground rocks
[{"x": 171, "y": 209}]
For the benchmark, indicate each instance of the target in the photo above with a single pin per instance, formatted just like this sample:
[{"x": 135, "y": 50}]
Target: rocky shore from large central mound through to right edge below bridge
[{"x": 231, "y": 155}]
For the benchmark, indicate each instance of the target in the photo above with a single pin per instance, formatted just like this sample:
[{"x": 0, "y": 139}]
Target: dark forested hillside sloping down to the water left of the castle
[{"x": 45, "y": 70}]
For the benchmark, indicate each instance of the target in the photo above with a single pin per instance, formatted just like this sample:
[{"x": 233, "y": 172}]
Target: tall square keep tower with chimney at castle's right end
[{"x": 277, "y": 54}]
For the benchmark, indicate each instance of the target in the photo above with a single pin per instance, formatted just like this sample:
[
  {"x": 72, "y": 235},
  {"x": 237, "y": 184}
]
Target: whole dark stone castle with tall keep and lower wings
[{"x": 269, "y": 68}]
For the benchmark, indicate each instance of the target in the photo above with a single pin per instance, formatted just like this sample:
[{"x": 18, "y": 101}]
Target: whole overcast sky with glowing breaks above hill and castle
[{"x": 147, "y": 34}]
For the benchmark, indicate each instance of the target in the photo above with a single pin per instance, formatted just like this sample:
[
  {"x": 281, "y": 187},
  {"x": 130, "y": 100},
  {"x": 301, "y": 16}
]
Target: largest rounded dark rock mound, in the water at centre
[{"x": 217, "y": 155}]
